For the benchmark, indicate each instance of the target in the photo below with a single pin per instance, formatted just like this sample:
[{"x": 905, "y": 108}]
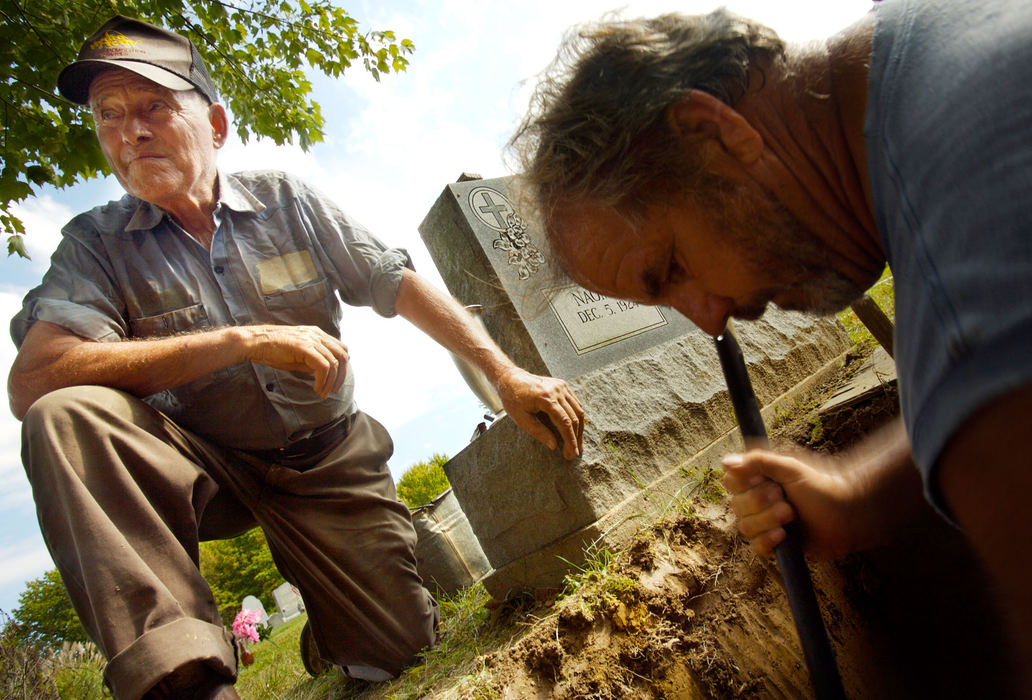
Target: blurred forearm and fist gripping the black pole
[{"x": 845, "y": 504}]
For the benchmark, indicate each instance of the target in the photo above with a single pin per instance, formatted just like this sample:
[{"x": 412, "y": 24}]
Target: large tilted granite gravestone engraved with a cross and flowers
[{"x": 650, "y": 381}]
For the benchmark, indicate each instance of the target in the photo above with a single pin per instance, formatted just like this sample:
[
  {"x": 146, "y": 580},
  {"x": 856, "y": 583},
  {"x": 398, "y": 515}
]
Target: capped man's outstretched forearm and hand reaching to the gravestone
[{"x": 524, "y": 395}]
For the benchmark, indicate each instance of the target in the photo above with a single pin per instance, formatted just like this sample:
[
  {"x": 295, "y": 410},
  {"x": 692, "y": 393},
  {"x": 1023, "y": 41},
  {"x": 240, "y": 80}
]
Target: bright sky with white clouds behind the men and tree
[{"x": 391, "y": 148}]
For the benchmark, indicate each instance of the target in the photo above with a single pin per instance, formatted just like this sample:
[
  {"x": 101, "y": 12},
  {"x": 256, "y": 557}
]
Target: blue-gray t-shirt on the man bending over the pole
[{"x": 949, "y": 137}]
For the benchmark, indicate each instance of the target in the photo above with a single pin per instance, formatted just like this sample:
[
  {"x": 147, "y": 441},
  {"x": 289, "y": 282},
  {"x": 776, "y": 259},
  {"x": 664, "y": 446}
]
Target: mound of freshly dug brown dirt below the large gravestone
[{"x": 687, "y": 613}]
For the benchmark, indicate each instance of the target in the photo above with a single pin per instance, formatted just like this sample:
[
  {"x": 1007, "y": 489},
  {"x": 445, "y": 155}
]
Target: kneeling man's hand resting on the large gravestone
[{"x": 532, "y": 401}]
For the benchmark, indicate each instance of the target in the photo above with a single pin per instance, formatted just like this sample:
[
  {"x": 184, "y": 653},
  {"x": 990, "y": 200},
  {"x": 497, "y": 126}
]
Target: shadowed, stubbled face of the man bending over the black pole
[{"x": 725, "y": 252}]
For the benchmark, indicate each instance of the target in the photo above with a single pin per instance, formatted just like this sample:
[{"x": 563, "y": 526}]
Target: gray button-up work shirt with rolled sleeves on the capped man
[{"x": 280, "y": 252}]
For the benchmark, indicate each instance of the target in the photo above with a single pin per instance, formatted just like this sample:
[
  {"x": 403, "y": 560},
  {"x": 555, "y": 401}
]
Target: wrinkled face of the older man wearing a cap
[{"x": 160, "y": 143}]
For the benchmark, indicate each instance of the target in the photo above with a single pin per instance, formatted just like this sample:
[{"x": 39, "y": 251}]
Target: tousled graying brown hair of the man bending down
[{"x": 597, "y": 129}]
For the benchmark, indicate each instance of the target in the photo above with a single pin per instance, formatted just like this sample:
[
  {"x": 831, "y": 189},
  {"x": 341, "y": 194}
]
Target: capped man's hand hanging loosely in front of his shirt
[{"x": 303, "y": 348}]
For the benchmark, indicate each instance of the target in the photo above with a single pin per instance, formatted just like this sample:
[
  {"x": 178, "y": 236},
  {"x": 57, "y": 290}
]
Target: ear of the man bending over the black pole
[{"x": 700, "y": 115}]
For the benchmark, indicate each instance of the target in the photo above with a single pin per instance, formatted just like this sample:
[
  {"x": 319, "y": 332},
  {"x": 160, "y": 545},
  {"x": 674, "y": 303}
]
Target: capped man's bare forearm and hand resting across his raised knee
[{"x": 52, "y": 358}]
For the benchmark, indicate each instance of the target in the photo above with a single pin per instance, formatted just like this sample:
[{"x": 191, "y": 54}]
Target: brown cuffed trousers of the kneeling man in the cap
[{"x": 124, "y": 496}]
